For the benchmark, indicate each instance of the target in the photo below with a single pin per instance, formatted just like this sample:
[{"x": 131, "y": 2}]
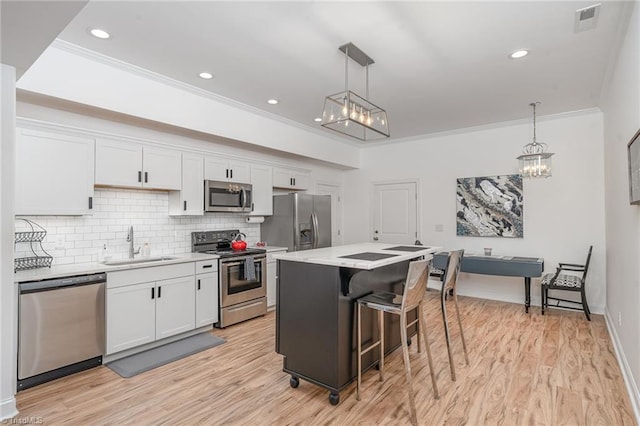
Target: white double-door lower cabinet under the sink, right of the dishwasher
[{"x": 148, "y": 304}]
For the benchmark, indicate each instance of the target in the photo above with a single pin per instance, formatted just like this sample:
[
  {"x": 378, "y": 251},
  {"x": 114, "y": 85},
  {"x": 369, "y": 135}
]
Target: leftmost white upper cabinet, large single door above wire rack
[{"x": 54, "y": 173}]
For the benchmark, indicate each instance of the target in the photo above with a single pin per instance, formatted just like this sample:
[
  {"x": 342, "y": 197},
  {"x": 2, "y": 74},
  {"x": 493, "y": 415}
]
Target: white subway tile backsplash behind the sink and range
[{"x": 80, "y": 239}]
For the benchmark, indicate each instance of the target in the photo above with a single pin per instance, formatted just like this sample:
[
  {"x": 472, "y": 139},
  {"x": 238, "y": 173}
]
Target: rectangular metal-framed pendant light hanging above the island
[{"x": 350, "y": 114}]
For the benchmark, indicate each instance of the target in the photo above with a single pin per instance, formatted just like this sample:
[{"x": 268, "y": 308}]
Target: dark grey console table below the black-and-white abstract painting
[{"x": 508, "y": 266}]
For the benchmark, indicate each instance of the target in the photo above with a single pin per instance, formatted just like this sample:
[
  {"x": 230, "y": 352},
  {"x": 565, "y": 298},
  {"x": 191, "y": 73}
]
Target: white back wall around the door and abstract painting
[{"x": 563, "y": 215}]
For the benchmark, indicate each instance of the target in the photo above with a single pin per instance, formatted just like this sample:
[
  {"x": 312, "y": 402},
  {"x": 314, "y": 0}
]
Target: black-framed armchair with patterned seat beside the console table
[{"x": 567, "y": 282}]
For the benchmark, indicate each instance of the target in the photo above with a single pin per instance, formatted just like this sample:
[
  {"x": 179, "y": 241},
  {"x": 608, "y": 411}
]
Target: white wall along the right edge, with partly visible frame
[{"x": 621, "y": 109}]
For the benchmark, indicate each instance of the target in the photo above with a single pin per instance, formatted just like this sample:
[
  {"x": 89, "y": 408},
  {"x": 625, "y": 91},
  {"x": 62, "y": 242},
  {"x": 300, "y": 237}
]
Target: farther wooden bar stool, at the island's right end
[{"x": 449, "y": 286}]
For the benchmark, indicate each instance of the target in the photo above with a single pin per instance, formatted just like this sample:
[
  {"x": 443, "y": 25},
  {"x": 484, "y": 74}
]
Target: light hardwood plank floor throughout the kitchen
[{"x": 526, "y": 369}]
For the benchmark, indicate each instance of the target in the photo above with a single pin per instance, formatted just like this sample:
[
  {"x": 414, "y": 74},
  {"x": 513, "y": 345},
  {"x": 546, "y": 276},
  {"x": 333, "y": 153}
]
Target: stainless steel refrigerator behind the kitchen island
[{"x": 299, "y": 222}]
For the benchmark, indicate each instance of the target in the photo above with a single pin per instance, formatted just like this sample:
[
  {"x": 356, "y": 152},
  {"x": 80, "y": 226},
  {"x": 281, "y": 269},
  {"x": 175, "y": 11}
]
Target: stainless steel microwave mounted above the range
[{"x": 227, "y": 196}]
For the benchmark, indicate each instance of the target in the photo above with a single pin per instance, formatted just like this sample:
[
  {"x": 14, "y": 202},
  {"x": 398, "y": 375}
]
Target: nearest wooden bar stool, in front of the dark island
[{"x": 414, "y": 290}]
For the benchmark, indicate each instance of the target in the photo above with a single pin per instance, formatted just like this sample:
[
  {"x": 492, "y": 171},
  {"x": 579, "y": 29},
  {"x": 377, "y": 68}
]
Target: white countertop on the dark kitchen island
[{"x": 332, "y": 255}]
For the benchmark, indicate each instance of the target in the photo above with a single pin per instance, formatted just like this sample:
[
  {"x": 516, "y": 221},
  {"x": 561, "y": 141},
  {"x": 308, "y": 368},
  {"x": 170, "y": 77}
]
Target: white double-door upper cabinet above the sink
[{"x": 129, "y": 164}]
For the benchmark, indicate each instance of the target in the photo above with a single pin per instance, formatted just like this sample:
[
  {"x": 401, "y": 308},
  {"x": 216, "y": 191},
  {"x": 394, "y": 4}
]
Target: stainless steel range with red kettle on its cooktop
[{"x": 242, "y": 276}]
